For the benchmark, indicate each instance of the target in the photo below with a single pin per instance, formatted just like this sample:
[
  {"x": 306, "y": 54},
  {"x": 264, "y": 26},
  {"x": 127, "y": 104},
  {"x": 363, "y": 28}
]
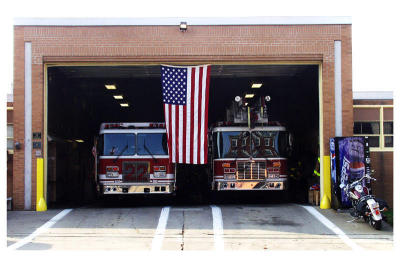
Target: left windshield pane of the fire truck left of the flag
[{"x": 119, "y": 144}]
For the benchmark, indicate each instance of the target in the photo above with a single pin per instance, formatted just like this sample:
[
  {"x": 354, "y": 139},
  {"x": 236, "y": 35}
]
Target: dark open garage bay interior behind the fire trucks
[{"x": 78, "y": 102}]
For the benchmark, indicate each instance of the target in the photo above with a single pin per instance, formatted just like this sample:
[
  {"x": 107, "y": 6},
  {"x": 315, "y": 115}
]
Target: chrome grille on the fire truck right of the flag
[{"x": 247, "y": 170}]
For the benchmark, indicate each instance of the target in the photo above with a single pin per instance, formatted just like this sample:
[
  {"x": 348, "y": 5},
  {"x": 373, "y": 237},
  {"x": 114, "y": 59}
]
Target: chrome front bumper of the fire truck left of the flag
[{"x": 137, "y": 188}]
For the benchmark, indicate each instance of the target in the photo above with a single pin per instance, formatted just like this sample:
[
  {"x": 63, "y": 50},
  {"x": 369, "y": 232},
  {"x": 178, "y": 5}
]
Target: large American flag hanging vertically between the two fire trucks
[{"x": 185, "y": 97}]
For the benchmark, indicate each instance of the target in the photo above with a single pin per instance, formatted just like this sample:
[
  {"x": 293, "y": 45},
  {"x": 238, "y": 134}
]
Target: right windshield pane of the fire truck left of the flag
[{"x": 152, "y": 144}]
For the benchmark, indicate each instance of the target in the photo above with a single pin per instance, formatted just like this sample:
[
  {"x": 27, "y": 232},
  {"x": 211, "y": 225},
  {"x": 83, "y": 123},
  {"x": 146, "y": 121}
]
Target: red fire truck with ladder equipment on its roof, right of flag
[{"x": 248, "y": 152}]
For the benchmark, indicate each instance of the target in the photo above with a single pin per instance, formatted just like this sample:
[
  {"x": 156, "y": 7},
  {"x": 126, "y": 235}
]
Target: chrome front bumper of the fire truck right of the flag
[{"x": 269, "y": 184}]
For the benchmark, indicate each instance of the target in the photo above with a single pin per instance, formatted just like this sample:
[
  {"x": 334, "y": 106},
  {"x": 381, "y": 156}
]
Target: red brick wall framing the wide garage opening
[{"x": 156, "y": 44}]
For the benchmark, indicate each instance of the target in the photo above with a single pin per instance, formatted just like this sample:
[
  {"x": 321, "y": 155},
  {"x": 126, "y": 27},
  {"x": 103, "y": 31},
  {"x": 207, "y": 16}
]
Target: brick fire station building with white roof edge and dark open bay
[{"x": 61, "y": 67}]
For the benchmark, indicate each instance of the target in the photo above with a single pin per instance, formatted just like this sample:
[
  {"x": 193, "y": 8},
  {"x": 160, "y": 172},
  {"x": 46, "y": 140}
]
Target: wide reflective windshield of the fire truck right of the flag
[{"x": 245, "y": 144}]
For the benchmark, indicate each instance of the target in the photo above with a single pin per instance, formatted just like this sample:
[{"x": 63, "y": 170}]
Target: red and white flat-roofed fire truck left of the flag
[{"x": 132, "y": 158}]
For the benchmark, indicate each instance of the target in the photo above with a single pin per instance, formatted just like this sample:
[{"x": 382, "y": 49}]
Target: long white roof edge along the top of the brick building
[{"x": 271, "y": 20}]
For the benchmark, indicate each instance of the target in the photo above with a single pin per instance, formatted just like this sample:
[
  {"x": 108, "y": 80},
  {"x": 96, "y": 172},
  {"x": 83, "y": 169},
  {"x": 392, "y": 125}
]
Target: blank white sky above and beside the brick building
[{"x": 374, "y": 25}]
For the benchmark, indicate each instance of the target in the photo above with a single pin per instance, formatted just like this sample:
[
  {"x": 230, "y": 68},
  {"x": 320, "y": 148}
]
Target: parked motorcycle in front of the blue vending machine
[{"x": 364, "y": 204}]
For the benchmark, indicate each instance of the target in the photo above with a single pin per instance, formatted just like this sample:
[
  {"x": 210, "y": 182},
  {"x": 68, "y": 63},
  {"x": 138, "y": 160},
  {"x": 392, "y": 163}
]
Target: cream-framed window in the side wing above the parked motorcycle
[{"x": 376, "y": 122}]
